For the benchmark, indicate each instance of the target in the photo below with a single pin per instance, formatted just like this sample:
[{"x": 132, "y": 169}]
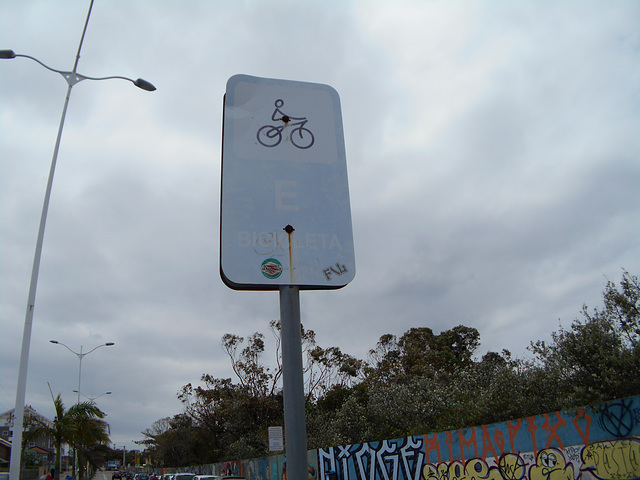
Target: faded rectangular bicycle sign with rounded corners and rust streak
[{"x": 285, "y": 211}]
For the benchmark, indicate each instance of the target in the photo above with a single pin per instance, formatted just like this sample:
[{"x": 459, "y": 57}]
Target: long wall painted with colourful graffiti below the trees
[{"x": 600, "y": 442}]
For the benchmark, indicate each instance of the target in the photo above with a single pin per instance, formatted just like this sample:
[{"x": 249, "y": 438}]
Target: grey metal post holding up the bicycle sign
[{"x": 295, "y": 433}]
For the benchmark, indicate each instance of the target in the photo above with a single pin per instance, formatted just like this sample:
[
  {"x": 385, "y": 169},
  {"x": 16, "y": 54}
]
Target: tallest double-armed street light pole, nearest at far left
[{"x": 71, "y": 78}]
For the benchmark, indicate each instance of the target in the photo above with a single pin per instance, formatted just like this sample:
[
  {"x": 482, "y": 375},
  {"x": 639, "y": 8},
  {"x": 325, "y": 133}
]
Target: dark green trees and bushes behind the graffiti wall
[{"x": 420, "y": 383}]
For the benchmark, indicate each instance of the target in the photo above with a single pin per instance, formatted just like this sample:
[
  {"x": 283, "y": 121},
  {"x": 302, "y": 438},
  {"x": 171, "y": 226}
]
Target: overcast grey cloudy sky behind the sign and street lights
[{"x": 494, "y": 169}]
